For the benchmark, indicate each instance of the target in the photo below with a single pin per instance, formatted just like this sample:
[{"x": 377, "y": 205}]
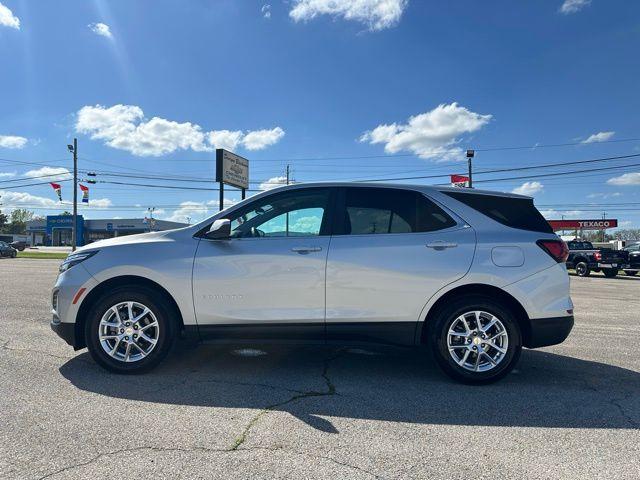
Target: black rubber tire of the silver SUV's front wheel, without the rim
[{"x": 167, "y": 329}]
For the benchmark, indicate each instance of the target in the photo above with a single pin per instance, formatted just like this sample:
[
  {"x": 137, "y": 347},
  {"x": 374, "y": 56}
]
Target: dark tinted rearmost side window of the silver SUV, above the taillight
[{"x": 510, "y": 211}]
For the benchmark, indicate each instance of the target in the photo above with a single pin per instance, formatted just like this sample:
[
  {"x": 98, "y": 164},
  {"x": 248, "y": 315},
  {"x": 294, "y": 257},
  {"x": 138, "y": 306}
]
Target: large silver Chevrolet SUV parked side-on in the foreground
[{"x": 472, "y": 275}]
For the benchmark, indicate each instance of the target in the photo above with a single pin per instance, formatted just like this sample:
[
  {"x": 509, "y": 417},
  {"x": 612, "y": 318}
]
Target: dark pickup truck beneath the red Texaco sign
[{"x": 585, "y": 259}]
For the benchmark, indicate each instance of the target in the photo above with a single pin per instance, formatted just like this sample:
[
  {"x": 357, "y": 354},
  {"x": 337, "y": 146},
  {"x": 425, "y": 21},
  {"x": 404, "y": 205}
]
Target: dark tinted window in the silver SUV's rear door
[{"x": 386, "y": 210}]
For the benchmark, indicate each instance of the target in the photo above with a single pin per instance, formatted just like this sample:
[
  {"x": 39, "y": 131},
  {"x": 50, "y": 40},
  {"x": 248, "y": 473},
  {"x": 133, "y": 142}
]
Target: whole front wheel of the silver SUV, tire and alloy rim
[{"x": 130, "y": 330}]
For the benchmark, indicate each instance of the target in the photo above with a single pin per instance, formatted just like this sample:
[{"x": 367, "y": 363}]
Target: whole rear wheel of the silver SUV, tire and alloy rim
[{"x": 476, "y": 340}]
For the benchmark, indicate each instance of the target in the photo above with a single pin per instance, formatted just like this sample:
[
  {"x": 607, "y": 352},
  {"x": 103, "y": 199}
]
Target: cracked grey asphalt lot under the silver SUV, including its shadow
[{"x": 569, "y": 411}]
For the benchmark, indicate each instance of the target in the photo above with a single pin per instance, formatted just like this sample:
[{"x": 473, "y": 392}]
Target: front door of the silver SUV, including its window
[{"x": 267, "y": 281}]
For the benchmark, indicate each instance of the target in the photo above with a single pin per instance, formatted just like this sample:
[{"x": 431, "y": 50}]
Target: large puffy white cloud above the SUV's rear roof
[{"x": 433, "y": 134}]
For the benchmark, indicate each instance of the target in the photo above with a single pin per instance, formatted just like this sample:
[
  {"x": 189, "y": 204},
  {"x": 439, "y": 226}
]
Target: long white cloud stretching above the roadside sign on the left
[{"x": 125, "y": 127}]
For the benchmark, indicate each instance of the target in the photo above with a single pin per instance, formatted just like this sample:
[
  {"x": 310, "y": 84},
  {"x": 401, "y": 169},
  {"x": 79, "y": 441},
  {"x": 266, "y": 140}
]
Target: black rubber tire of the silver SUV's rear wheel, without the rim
[{"x": 445, "y": 317}]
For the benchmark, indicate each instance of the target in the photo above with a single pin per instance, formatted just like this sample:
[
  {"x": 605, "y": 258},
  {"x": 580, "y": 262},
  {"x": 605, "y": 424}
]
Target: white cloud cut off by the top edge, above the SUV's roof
[{"x": 376, "y": 14}]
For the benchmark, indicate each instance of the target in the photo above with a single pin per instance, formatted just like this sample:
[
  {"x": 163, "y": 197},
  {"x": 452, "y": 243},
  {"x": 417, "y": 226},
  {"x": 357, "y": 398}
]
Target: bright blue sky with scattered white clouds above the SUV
[{"x": 150, "y": 88}]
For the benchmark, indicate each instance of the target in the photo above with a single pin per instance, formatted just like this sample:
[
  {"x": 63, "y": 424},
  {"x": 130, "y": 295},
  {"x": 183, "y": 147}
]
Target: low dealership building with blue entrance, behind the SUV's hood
[{"x": 55, "y": 230}]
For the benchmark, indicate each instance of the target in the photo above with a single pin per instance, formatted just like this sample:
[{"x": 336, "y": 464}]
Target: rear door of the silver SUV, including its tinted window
[{"x": 391, "y": 251}]
